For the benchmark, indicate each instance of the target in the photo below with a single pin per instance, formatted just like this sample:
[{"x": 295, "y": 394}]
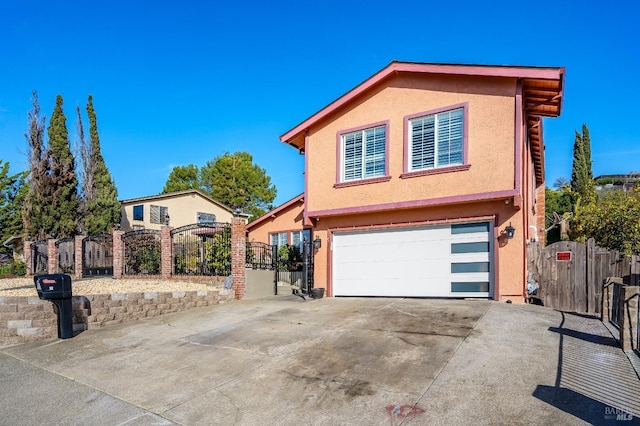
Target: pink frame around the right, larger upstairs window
[{"x": 407, "y": 172}]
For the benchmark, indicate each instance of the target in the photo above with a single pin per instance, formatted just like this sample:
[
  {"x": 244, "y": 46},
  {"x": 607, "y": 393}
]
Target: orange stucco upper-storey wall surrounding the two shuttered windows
[{"x": 491, "y": 111}]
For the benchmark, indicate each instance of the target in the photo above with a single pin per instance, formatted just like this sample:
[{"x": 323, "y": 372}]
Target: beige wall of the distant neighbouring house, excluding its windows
[{"x": 183, "y": 208}]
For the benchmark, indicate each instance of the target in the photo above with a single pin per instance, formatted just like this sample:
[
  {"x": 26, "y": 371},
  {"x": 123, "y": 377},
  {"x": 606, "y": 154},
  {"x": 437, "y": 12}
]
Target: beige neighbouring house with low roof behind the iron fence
[{"x": 175, "y": 209}]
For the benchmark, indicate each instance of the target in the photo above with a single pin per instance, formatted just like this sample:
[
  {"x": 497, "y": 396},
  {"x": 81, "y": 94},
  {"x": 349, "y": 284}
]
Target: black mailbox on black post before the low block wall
[{"x": 57, "y": 289}]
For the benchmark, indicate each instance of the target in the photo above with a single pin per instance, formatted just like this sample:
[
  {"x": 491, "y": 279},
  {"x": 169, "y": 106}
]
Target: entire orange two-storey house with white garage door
[{"x": 414, "y": 178}]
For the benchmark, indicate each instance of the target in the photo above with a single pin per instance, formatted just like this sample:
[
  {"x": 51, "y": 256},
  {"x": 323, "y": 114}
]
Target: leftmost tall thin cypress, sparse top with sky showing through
[{"x": 37, "y": 224}]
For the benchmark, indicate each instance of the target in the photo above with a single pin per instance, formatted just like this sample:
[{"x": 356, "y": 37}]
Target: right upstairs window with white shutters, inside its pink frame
[{"x": 436, "y": 140}]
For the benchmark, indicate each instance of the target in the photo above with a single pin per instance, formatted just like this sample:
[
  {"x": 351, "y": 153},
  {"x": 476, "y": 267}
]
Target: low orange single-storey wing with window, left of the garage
[{"x": 282, "y": 225}]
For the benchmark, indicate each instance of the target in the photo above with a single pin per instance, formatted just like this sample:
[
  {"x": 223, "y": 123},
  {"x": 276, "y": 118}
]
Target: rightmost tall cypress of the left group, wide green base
[{"x": 101, "y": 194}]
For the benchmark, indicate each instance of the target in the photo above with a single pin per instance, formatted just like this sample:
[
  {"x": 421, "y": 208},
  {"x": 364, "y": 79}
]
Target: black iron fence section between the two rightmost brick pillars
[{"x": 202, "y": 249}]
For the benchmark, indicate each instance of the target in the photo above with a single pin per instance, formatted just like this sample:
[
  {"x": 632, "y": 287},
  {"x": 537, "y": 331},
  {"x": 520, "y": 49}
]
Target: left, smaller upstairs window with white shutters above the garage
[{"x": 363, "y": 154}]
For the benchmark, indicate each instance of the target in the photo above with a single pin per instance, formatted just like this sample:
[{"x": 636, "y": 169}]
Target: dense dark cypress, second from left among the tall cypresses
[{"x": 63, "y": 208}]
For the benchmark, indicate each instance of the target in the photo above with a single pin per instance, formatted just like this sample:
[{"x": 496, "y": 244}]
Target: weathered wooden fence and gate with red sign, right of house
[{"x": 570, "y": 274}]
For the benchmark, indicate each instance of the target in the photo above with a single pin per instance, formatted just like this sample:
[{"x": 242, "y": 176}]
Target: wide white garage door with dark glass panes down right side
[{"x": 434, "y": 261}]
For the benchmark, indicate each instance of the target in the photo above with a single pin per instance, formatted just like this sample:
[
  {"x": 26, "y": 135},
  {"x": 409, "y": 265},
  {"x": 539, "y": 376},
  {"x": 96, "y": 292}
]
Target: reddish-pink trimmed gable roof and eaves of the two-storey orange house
[{"x": 542, "y": 91}]
